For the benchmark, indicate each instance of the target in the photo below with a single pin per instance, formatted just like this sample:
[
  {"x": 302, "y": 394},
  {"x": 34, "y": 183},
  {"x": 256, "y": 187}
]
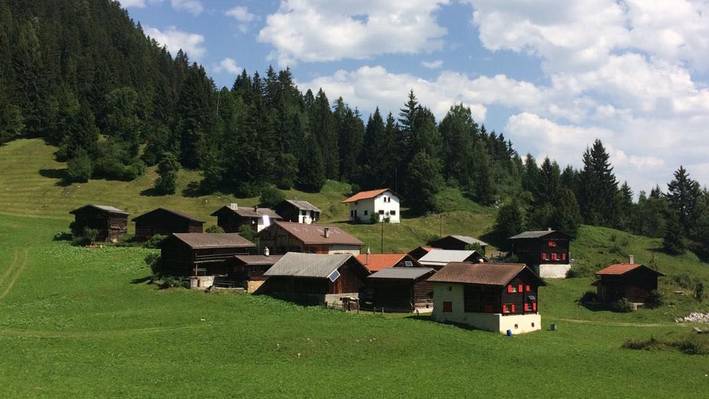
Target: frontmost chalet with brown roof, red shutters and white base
[{"x": 488, "y": 296}]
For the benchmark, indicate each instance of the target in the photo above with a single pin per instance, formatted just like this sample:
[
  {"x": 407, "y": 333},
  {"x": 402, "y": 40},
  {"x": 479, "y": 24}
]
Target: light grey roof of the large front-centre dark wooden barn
[{"x": 296, "y": 264}]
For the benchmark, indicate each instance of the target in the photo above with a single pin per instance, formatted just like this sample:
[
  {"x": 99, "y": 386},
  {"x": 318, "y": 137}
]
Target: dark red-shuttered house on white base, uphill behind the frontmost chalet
[{"x": 545, "y": 251}]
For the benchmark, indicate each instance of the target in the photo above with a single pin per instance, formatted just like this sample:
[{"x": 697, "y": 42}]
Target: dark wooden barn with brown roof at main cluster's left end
[{"x": 202, "y": 253}]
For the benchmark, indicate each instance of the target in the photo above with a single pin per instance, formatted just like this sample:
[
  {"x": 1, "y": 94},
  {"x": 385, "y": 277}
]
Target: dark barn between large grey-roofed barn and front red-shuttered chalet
[{"x": 400, "y": 289}]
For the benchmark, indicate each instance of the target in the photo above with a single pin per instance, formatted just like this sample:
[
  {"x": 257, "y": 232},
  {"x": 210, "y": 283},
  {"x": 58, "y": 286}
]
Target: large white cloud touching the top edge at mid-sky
[{"x": 323, "y": 30}]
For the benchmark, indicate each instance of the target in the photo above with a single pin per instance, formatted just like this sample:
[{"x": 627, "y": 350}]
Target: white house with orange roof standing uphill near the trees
[{"x": 380, "y": 205}]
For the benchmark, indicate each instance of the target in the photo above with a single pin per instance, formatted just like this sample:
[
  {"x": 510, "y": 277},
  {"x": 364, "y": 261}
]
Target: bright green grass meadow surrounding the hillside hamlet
[{"x": 75, "y": 322}]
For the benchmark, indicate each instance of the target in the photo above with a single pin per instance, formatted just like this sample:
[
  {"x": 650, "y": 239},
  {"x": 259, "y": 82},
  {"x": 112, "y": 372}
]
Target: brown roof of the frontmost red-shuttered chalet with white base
[{"x": 480, "y": 273}]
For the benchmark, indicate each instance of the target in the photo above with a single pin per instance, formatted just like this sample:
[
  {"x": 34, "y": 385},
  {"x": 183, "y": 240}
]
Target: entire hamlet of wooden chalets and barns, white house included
[{"x": 295, "y": 258}]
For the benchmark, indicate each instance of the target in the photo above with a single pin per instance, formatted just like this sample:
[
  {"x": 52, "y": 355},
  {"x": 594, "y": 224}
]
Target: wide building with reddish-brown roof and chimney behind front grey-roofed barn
[{"x": 282, "y": 237}]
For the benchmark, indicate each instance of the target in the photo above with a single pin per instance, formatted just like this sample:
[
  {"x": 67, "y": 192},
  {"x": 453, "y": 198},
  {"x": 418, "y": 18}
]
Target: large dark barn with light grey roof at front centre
[{"x": 315, "y": 279}]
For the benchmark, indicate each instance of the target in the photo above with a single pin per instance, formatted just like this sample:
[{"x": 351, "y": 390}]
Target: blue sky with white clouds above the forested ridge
[{"x": 551, "y": 75}]
